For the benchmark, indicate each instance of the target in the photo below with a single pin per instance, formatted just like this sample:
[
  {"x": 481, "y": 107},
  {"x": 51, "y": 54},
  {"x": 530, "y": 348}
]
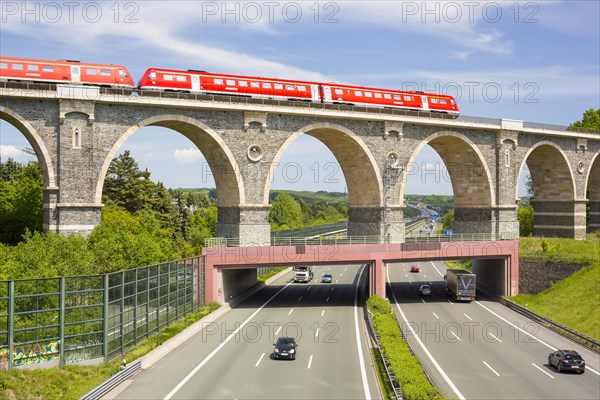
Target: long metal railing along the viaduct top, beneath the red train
[{"x": 290, "y": 103}]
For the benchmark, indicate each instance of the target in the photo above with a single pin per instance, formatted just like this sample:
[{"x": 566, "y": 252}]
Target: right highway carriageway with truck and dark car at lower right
[{"x": 483, "y": 350}]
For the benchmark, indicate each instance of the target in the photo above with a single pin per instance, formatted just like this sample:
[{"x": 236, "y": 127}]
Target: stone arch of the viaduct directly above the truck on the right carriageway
[{"x": 469, "y": 173}]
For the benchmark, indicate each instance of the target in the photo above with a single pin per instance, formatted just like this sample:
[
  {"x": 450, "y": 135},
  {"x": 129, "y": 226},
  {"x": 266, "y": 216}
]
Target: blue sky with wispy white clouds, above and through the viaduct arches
[{"x": 530, "y": 60}]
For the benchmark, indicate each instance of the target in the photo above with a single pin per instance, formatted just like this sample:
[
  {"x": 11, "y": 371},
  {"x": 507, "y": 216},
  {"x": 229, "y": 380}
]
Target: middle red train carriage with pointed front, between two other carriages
[{"x": 206, "y": 82}]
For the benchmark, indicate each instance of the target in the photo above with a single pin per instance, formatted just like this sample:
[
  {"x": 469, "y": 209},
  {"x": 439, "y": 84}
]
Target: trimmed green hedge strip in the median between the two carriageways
[{"x": 403, "y": 363}]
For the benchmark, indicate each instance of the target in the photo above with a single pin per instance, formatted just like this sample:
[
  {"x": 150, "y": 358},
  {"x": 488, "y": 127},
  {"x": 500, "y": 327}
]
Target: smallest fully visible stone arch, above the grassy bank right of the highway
[{"x": 547, "y": 165}]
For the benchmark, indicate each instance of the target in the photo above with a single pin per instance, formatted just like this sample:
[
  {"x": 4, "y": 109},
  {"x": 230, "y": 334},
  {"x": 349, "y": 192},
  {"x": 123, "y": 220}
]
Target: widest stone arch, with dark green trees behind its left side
[{"x": 230, "y": 187}]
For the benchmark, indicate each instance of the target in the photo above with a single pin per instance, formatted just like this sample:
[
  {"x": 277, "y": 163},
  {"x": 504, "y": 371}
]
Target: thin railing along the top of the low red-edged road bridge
[{"x": 297, "y": 241}]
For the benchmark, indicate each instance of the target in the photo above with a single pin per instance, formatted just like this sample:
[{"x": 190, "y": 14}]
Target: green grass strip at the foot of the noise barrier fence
[{"x": 72, "y": 382}]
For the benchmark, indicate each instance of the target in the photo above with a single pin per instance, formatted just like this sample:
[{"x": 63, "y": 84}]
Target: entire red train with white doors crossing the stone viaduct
[{"x": 204, "y": 82}]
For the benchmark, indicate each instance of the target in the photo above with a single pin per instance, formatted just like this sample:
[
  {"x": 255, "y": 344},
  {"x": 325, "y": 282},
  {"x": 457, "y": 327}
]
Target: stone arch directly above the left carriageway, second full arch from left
[{"x": 362, "y": 175}]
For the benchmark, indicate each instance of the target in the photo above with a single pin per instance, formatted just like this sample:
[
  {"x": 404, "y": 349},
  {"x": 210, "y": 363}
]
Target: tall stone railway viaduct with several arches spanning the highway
[{"x": 76, "y": 131}]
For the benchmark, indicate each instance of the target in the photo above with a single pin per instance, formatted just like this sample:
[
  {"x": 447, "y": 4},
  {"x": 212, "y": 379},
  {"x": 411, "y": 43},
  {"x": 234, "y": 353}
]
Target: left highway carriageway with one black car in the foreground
[{"x": 231, "y": 358}]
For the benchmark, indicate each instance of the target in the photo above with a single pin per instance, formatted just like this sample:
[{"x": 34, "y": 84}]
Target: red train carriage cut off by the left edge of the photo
[{"x": 75, "y": 72}]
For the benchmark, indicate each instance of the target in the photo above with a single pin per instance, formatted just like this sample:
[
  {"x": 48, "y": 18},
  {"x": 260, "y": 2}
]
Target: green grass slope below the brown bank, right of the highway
[{"x": 572, "y": 302}]
